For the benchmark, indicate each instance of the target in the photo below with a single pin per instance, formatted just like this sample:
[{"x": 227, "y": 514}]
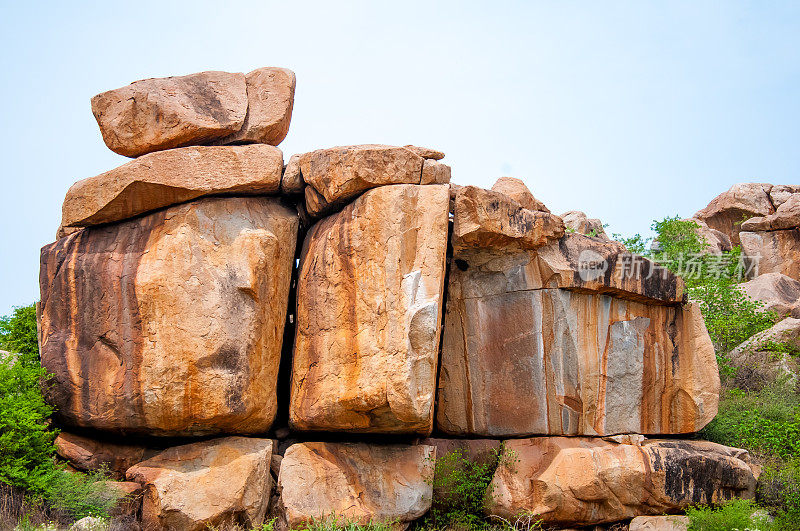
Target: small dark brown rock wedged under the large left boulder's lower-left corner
[{"x": 89, "y": 454}]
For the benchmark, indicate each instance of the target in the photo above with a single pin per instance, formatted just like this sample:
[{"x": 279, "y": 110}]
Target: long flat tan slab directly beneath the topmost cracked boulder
[{"x": 169, "y": 177}]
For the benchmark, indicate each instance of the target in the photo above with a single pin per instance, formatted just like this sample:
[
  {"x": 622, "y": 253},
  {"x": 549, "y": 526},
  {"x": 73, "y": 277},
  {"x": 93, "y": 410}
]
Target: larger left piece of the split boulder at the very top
[{"x": 155, "y": 114}]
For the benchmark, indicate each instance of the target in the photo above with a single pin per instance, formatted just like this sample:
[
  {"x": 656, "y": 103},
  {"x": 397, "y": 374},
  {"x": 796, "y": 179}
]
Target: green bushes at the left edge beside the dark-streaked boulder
[{"x": 27, "y": 452}]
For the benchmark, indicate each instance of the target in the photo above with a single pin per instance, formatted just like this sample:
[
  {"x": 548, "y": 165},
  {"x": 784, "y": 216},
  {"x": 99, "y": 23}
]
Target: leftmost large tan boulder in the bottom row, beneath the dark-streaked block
[{"x": 211, "y": 483}]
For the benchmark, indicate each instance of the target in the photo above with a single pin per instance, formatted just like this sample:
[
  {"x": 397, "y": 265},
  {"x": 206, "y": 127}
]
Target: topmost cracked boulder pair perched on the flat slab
[{"x": 164, "y": 113}]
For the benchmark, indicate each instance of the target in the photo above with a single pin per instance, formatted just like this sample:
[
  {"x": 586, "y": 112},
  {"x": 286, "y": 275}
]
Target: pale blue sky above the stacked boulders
[{"x": 629, "y": 111}]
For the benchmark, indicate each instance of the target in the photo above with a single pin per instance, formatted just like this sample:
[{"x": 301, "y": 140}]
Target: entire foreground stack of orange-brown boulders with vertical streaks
[{"x": 218, "y": 323}]
